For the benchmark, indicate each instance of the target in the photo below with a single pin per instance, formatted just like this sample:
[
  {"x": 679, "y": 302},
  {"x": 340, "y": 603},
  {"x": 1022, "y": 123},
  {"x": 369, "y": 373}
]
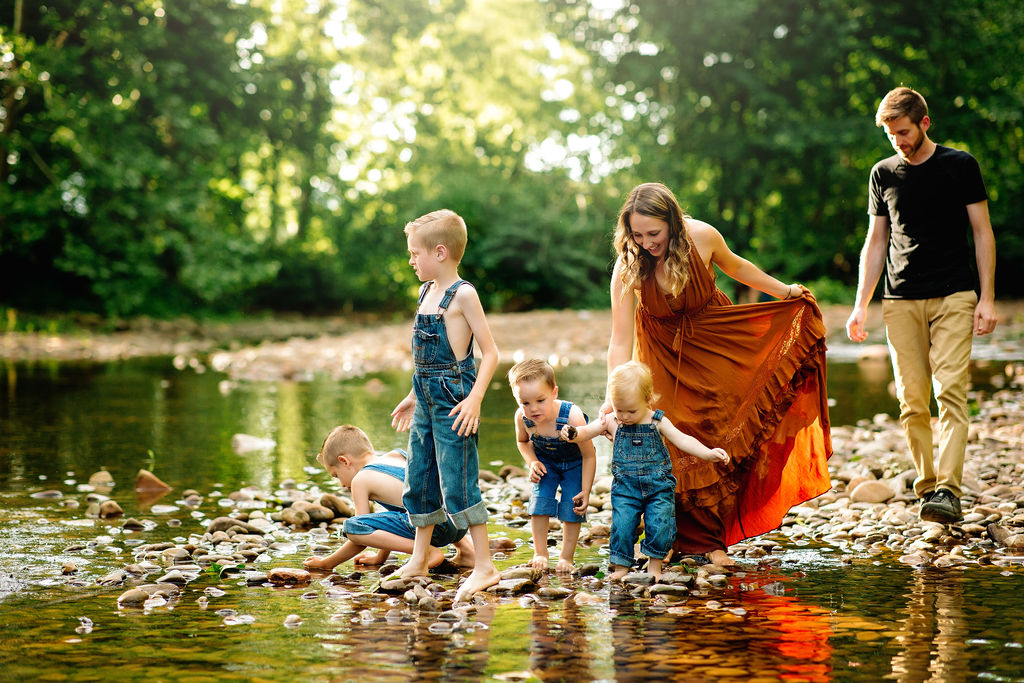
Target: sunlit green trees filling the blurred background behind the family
[{"x": 229, "y": 155}]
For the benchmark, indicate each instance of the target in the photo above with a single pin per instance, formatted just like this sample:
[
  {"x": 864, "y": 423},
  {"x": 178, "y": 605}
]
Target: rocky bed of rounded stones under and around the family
[{"x": 871, "y": 515}]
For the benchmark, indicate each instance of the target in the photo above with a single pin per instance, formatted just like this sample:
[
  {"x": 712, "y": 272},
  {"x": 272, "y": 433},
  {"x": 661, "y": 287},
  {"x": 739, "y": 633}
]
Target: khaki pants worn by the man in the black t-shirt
[{"x": 930, "y": 345}]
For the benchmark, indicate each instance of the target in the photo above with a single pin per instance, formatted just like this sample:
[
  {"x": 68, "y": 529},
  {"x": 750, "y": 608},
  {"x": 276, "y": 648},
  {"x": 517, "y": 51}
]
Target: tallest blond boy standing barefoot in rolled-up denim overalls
[{"x": 444, "y": 408}]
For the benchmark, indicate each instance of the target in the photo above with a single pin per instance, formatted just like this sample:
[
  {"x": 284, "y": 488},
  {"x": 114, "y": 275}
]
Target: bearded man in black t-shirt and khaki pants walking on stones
[{"x": 922, "y": 203}]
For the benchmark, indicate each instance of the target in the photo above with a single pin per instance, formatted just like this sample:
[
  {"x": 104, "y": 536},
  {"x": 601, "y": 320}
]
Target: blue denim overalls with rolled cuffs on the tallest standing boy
[{"x": 443, "y": 471}]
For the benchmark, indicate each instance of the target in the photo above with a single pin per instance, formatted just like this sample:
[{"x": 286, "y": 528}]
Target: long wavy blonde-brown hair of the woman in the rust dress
[{"x": 657, "y": 201}]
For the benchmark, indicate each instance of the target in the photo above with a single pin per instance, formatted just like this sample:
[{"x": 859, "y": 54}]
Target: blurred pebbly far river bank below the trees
[{"x": 343, "y": 348}]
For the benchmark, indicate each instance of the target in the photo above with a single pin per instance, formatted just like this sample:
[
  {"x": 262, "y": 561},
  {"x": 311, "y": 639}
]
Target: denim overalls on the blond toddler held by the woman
[{"x": 643, "y": 484}]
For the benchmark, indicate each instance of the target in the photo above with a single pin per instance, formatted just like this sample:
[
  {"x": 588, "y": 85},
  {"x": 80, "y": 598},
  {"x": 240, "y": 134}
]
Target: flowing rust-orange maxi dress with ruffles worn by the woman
[{"x": 748, "y": 378}]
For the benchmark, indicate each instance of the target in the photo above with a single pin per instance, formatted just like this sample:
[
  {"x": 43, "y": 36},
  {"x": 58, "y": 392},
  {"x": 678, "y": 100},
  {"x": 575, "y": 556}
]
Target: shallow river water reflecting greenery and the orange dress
[{"x": 812, "y": 615}]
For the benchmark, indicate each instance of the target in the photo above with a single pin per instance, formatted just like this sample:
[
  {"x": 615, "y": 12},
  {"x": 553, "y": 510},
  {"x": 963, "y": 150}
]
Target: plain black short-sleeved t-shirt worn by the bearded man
[{"x": 929, "y": 254}]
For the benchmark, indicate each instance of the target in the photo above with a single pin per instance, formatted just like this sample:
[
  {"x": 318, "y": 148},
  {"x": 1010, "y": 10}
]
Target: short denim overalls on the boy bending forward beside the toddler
[{"x": 565, "y": 464}]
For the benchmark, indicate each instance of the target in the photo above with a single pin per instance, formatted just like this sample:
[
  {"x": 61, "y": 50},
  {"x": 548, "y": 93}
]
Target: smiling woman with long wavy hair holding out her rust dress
[{"x": 748, "y": 378}]
